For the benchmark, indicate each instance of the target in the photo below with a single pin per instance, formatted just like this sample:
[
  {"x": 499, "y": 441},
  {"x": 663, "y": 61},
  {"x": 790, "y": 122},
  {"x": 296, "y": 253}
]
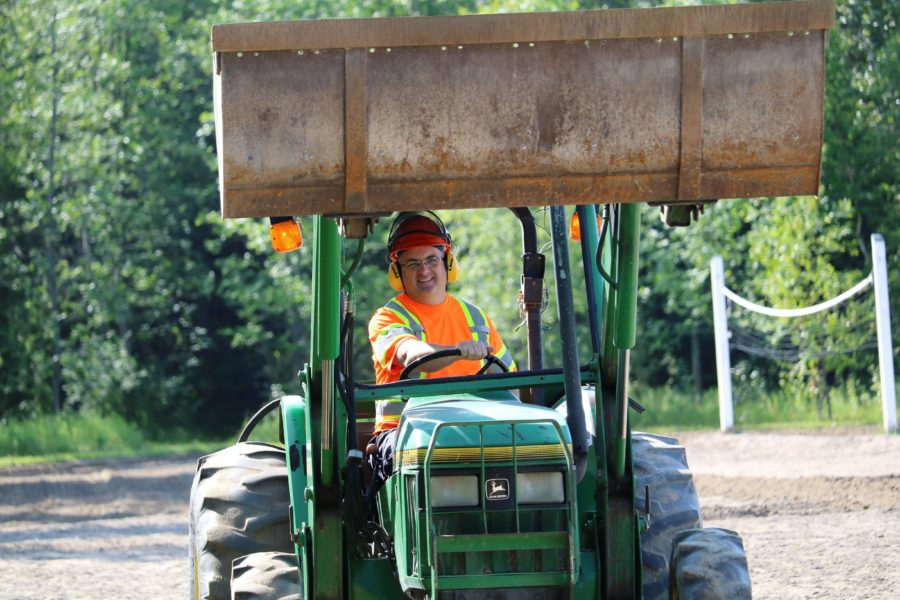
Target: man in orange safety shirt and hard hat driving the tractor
[{"x": 424, "y": 319}]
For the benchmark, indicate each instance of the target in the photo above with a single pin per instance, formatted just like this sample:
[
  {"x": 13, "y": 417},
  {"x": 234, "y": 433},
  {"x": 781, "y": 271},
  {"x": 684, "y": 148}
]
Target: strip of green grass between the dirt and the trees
[{"x": 89, "y": 436}]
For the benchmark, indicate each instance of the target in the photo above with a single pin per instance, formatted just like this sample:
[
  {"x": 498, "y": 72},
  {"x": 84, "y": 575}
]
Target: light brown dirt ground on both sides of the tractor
[{"x": 819, "y": 514}]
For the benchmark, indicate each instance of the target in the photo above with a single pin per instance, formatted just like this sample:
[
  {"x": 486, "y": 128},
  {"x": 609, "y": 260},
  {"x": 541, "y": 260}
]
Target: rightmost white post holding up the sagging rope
[{"x": 883, "y": 325}]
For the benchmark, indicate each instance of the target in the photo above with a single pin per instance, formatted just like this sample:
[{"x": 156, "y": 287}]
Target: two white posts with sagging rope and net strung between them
[{"x": 823, "y": 342}]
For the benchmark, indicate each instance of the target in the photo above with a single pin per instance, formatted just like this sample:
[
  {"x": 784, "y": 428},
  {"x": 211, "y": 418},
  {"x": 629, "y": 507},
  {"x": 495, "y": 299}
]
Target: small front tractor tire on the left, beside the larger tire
[{"x": 266, "y": 576}]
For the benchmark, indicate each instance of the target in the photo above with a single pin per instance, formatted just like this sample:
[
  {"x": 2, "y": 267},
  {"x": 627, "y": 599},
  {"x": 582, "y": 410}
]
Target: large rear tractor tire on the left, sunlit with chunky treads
[{"x": 239, "y": 505}]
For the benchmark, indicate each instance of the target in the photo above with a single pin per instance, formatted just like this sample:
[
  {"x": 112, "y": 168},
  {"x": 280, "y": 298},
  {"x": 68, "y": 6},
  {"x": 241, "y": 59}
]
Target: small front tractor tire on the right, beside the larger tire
[{"x": 709, "y": 564}]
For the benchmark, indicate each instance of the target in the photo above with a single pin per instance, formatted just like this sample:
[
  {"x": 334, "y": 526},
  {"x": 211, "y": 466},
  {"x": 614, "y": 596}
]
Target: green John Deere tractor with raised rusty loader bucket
[{"x": 524, "y": 484}]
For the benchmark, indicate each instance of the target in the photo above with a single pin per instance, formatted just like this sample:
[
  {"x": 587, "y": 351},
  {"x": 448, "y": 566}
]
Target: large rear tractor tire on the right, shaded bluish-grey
[{"x": 660, "y": 464}]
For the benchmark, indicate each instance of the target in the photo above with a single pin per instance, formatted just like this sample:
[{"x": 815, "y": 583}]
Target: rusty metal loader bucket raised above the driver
[{"x": 666, "y": 105}]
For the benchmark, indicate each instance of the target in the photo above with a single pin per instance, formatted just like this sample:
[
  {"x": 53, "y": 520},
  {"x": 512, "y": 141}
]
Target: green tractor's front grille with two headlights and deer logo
[{"x": 516, "y": 535}]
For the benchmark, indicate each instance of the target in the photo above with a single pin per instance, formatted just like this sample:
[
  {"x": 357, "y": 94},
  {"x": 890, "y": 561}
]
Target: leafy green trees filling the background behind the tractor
[{"x": 123, "y": 292}]
